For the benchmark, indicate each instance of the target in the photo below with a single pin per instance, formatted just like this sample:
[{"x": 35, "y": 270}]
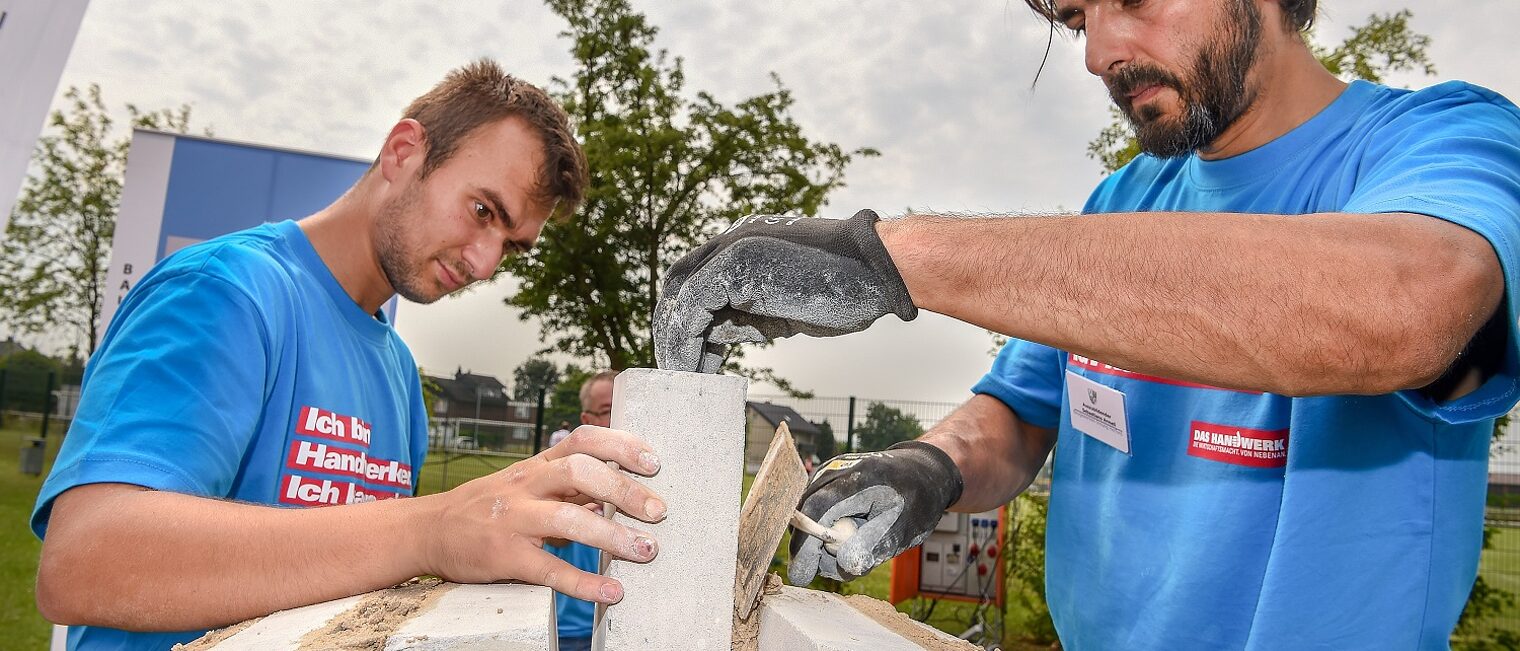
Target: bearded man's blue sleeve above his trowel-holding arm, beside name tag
[{"x": 1028, "y": 378}]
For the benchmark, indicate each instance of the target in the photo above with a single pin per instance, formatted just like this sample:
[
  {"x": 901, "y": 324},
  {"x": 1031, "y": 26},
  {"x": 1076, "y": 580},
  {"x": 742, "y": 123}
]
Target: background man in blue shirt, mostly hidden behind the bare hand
[{"x": 575, "y": 618}]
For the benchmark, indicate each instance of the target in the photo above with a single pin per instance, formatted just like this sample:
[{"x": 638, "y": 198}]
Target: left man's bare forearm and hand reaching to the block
[{"x": 127, "y": 557}]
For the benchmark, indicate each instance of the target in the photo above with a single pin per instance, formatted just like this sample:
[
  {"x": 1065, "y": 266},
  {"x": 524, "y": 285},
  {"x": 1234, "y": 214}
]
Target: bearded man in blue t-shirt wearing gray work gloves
[{"x": 1268, "y": 355}]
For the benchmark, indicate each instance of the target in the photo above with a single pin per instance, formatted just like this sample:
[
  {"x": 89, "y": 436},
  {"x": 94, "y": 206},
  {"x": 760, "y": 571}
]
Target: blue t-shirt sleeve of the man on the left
[{"x": 173, "y": 398}]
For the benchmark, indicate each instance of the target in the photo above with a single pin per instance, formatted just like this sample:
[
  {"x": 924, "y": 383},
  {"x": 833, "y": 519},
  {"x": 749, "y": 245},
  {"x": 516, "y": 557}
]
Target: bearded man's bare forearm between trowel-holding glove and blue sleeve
[{"x": 996, "y": 453}]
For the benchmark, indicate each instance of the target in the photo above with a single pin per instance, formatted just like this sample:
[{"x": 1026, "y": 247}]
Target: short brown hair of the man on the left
[{"x": 483, "y": 94}]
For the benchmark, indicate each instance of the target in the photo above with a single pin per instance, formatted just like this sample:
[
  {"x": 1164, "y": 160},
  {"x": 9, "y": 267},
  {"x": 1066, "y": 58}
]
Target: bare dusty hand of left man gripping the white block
[{"x": 493, "y": 529}]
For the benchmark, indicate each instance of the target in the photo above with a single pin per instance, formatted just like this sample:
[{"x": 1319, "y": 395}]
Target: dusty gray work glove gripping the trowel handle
[{"x": 896, "y": 498}]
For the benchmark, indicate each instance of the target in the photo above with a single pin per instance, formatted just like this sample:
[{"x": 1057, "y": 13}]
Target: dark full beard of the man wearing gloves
[{"x": 1214, "y": 95}]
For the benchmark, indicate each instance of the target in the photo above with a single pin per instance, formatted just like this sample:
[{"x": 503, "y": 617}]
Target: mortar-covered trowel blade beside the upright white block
[{"x": 764, "y": 518}]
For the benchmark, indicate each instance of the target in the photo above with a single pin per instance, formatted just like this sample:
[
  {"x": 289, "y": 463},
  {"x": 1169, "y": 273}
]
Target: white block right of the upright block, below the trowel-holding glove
[{"x": 800, "y": 620}]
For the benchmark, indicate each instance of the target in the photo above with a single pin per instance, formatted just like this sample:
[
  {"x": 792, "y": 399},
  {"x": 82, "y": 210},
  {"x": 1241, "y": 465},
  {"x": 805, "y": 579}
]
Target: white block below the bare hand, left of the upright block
[{"x": 483, "y": 618}]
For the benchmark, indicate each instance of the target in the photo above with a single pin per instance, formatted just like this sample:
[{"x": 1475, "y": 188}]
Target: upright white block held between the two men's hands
[{"x": 685, "y": 599}]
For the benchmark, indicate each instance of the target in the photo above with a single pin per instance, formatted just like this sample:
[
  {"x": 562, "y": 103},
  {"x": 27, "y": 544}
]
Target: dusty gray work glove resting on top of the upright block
[{"x": 776, "y": 276}]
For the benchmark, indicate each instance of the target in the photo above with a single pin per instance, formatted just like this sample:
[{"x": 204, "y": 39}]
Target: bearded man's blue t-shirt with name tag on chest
[{"x": 1246, "y": 521}]
